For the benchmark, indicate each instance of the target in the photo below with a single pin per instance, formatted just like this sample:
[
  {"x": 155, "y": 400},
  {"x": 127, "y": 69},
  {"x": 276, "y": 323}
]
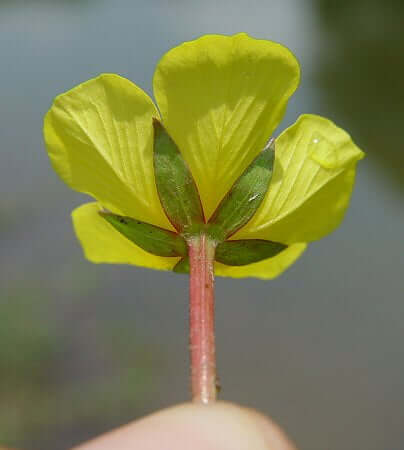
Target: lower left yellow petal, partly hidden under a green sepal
[{"x": 103, "y": 244}]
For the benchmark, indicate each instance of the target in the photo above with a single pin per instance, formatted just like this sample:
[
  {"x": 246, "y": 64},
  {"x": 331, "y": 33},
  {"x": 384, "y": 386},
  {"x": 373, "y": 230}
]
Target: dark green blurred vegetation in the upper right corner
[{"x": 361, "y": 74}]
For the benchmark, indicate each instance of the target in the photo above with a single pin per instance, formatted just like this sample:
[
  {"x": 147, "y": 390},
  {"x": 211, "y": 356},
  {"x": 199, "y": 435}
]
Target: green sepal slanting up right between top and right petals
[{"x": 245, "y": 196}]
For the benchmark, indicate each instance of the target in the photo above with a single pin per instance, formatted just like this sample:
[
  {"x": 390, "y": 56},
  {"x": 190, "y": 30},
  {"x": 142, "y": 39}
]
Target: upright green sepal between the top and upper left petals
[{"x": 175, "y": 185}]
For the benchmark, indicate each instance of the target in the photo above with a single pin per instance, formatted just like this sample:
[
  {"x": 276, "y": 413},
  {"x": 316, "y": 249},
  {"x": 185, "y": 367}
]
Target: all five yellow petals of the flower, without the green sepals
[{"x": 220, "y": 98}]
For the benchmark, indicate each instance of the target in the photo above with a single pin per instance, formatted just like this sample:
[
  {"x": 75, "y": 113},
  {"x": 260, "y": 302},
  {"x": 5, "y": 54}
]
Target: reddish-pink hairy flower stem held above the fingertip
[{"x": 202, "y": 320}]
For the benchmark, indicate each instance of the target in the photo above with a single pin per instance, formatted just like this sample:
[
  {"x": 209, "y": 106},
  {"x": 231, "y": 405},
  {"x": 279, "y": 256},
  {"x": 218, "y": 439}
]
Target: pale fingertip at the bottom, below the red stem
[{"x": 218, "y": 426}]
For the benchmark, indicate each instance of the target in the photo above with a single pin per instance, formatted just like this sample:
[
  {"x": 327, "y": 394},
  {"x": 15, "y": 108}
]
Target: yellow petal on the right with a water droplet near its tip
[{"x": 311, "y": 186}]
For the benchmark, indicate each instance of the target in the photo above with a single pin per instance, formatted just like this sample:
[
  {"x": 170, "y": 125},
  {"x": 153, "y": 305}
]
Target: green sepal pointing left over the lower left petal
[{"x": 150, "y": 238}]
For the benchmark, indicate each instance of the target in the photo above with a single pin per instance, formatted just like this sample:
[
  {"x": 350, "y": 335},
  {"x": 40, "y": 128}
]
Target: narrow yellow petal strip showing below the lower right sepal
[{"x": 267, "y": 269}]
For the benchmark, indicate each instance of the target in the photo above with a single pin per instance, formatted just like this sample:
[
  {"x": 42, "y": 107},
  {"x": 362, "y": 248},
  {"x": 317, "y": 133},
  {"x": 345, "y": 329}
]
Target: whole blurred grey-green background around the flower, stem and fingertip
[{"x": 84, "y": 348}]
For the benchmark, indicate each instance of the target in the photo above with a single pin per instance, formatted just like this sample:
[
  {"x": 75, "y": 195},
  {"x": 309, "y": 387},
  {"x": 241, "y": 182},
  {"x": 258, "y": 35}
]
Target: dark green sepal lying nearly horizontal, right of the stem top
[{"x": 247, "y": 251}]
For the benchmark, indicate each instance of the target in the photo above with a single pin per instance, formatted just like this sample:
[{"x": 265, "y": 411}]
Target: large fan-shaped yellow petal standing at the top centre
[{"x": 221, "y": 98}]
